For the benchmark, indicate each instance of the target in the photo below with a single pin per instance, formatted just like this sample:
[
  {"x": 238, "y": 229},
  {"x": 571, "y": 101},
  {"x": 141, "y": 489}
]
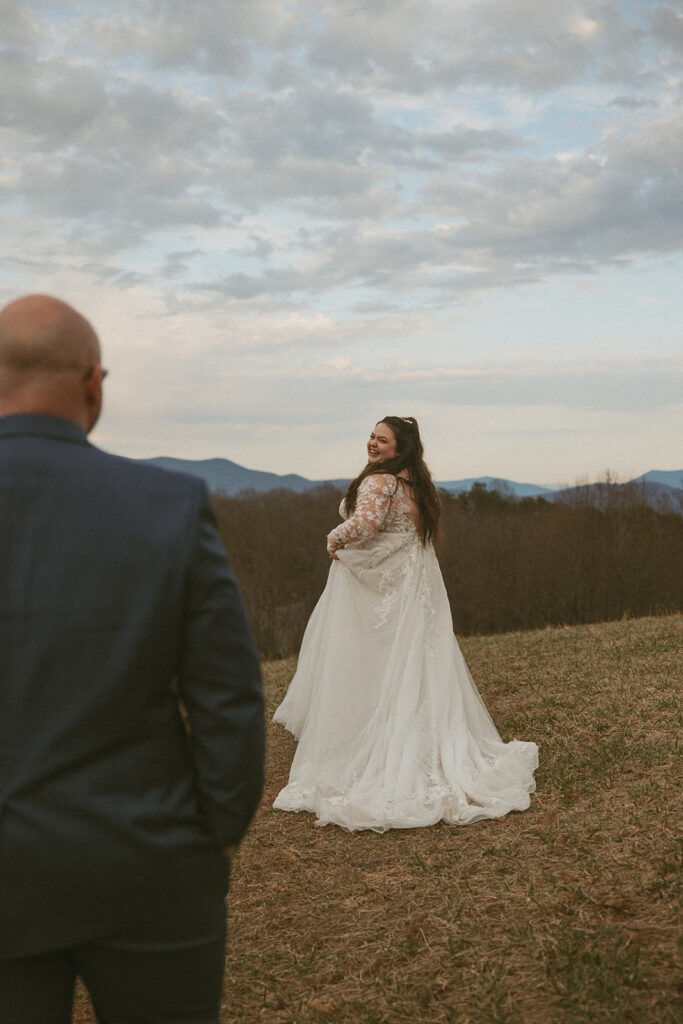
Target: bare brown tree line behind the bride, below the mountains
[{"x": 600, "y": 553}]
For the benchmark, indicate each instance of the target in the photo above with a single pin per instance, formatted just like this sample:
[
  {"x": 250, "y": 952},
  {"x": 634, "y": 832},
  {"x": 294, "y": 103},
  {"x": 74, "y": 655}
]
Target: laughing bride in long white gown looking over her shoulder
[{"x": 393, "y": 732}]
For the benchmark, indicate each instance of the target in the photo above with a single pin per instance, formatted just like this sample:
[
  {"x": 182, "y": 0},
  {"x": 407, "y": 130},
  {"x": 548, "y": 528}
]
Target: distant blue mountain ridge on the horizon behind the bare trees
[{"x": 224, "y": 477}]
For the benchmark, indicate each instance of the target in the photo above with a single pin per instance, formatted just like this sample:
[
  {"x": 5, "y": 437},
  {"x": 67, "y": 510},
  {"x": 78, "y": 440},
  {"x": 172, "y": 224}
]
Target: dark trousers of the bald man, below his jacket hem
[{"x": 133, "y": 980}]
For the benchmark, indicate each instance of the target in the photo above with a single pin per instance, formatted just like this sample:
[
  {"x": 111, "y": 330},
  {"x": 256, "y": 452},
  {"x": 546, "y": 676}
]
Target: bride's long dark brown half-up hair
[{"x": 410, "y": 458}]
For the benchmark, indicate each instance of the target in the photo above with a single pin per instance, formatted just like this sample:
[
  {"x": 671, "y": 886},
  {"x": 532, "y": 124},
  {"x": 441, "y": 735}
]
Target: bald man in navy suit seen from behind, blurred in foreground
[{"x": 132, "y": 721}]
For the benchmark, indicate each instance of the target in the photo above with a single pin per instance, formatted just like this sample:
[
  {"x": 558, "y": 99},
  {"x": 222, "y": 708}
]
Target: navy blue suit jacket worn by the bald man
[{"x": 132, "y": 719}]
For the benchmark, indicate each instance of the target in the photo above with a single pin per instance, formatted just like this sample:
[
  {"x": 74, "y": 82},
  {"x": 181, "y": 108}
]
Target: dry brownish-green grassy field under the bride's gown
[{"x": 565, "y": 914}]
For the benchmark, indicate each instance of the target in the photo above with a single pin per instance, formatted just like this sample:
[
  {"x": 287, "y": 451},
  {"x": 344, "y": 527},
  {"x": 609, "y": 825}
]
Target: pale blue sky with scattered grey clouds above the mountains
[{"x": 288, "y": 220}]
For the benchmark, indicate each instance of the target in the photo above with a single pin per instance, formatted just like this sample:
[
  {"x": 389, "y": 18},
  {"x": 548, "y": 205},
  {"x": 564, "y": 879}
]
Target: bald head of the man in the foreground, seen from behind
[{"x": 50, "y": 362}]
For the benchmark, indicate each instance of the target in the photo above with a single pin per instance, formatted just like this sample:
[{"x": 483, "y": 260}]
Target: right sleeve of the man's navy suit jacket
[{"x": 221, "y": 687}]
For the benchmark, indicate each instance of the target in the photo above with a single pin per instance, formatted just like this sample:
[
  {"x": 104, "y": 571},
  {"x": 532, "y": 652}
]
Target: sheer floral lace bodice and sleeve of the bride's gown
[{"x": 383, "y": 505}]
